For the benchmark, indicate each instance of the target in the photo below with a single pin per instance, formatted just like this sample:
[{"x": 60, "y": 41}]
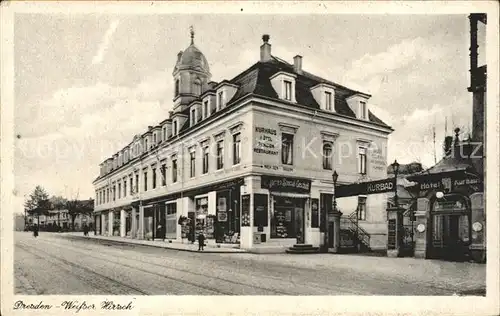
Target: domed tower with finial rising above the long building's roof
[{"x": 191, "y": 75}]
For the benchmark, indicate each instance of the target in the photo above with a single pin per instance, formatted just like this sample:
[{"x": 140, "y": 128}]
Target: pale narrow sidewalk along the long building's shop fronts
[{"x": 211, "y": 247}]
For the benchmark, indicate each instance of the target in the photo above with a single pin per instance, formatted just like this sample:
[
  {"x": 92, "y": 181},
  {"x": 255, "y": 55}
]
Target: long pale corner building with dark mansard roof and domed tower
[{"x": 247, "y": 160}]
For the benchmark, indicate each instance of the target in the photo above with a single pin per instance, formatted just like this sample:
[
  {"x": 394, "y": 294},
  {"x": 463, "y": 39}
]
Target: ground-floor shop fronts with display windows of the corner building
[{"x": 253, "y": 211}]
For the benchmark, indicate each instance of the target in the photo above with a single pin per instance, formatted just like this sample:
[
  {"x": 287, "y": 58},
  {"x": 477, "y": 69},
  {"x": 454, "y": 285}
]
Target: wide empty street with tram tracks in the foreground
[{"x": 55, "y": 264}]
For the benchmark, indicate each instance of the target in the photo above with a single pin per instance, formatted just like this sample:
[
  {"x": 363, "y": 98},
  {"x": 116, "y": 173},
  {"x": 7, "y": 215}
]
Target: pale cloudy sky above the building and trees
[{"x": 85, "y": 84}]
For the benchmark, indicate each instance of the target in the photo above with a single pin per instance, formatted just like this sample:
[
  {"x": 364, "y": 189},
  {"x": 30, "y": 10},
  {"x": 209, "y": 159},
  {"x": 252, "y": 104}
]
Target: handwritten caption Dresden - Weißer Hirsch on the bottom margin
[{"x": 76, "y": 306}]
